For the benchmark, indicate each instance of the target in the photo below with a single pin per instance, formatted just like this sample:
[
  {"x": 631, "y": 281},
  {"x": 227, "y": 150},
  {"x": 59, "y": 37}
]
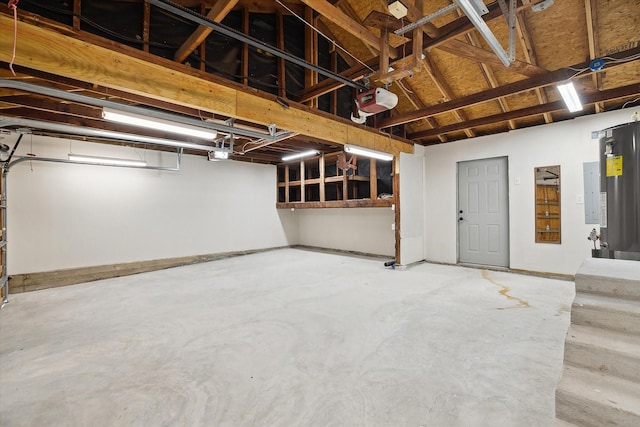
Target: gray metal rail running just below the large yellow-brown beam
[{"x": 83, "y": 99}]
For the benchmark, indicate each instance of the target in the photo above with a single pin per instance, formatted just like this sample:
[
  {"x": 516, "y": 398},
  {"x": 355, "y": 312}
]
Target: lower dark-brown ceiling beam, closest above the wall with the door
[{"x": 602, "y": 96}]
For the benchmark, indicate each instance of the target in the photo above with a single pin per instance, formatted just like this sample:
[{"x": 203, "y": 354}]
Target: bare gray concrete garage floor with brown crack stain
[{"x": 287, "y": 338}]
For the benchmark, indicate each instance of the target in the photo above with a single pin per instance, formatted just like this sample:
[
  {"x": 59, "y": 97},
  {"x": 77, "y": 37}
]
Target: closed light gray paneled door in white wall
[{"x": 483, "y": 212}]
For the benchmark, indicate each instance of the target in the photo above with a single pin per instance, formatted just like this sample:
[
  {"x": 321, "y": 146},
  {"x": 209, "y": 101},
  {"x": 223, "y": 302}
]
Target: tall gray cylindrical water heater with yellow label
[{"x": 620, "y": 192}]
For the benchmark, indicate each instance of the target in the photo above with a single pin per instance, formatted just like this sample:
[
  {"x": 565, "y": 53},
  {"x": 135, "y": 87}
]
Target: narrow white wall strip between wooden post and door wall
[{"x": 412, "y": 206}]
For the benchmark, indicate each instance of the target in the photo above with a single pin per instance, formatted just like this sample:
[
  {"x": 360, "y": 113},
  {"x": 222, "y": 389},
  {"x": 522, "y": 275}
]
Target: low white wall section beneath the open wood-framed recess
[{"x": 365, "y": 230}]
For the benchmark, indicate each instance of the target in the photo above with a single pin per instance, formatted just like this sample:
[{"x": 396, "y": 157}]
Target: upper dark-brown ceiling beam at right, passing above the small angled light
[{"x": 505, "y": 90}]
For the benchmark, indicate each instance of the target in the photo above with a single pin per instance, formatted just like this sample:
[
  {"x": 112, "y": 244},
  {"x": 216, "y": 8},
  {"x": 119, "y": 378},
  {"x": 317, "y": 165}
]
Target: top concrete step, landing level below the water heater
[{"x": 612, "y": 277}]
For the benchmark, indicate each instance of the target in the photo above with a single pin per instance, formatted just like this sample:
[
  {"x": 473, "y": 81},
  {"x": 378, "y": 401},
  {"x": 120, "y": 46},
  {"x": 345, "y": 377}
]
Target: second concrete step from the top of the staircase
[{"x": 606, "y": 312}]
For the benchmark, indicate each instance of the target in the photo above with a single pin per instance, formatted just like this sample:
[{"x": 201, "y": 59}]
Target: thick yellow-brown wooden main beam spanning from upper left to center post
[{"x": 164, "y": 80}]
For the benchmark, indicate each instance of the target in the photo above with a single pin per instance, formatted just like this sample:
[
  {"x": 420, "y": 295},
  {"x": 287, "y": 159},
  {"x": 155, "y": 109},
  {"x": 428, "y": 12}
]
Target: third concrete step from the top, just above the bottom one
[{"x": 608, "y": 352}]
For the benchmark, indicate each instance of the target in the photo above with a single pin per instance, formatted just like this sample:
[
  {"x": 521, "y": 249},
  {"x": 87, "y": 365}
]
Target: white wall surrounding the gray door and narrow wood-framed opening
[{"x": 566, "y": 143}]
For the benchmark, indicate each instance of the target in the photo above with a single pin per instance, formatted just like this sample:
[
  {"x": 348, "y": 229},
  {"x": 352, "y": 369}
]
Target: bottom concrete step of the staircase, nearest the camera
[{"x": 589, "y": 398}]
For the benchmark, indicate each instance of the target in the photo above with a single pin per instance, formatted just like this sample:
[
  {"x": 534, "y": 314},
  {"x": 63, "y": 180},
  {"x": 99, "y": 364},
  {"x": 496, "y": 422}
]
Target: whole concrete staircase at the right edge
[{"x": 600, "y": 383}]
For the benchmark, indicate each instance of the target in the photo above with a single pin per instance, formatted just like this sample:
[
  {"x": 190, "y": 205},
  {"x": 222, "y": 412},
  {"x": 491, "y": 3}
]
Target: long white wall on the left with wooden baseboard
[{"x": 67, "y": 216}]
